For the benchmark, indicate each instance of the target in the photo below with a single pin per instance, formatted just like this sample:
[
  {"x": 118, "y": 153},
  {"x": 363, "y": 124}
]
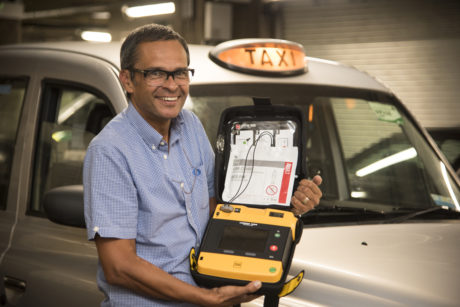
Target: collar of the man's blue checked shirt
[{"x": 148, "y": 133}]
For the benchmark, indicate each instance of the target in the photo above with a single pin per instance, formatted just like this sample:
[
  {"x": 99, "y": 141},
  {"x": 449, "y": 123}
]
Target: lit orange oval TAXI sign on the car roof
[{"x": 266, "y": 57}]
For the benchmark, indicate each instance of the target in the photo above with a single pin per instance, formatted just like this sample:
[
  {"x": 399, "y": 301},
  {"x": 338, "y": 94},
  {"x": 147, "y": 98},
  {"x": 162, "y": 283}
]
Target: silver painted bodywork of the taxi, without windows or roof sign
[{"x": 362, "y": 265}]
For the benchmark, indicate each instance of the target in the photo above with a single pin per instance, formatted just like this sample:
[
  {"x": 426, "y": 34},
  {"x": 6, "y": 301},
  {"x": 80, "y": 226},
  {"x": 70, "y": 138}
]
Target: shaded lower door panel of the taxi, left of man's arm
[{"x": 50, "y": 256}]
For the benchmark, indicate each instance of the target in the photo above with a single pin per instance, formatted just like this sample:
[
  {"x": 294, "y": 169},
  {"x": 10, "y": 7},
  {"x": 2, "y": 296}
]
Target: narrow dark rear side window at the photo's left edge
[{"x": 11, "y": 100}]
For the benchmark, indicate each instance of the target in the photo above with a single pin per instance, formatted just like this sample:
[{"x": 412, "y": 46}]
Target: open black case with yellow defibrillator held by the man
[{"x": 253, "y": 233}]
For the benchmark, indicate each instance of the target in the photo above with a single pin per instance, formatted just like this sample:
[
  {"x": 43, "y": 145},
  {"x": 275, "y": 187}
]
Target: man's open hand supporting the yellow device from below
[{"x": 233, "y": 295}]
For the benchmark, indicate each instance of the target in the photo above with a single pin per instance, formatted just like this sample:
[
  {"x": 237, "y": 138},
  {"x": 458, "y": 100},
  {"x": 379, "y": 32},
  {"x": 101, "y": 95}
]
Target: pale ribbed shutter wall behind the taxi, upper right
[{"x": 413, "y": 46}]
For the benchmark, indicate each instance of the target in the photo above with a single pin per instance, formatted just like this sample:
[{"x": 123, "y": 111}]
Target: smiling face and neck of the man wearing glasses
[{"x": 158, "y": 83}]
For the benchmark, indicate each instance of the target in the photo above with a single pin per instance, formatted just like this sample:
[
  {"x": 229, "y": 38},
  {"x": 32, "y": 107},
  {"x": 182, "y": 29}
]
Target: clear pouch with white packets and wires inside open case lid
[{"x": 261, "y": 163}]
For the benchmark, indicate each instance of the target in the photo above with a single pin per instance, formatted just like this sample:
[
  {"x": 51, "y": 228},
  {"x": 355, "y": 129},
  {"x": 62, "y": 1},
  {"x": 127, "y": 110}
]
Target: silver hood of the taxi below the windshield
[{"x": 415, "y": 264}]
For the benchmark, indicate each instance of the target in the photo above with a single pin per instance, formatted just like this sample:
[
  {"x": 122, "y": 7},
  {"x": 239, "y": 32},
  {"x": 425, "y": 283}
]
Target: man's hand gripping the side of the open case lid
[{"x": 307, "y": 195}]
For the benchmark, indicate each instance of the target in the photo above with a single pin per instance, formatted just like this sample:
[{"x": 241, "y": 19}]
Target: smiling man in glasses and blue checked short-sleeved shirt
[{"x": 148, "y": 182}]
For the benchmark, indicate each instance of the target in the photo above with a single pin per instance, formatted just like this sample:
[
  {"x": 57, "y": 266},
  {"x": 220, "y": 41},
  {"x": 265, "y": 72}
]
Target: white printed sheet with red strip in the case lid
[{"x": 266, "y": 180}]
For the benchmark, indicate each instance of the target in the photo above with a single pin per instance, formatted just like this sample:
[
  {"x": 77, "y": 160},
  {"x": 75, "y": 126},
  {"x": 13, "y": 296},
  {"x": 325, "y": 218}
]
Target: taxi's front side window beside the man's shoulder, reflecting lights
[{"x": 70, "y": 117}]
